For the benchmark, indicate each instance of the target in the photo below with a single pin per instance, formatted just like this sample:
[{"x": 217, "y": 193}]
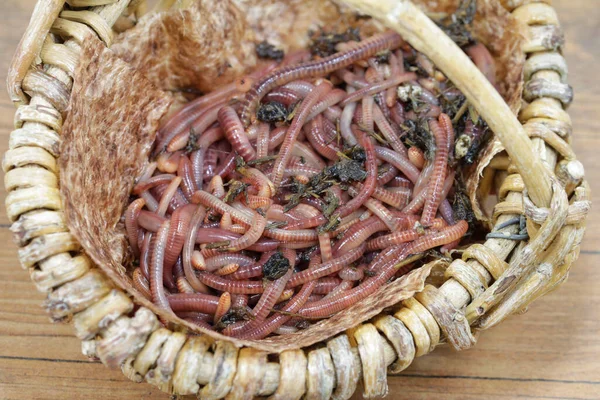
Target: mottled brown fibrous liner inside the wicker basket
[{"x": 95, "y": 218}]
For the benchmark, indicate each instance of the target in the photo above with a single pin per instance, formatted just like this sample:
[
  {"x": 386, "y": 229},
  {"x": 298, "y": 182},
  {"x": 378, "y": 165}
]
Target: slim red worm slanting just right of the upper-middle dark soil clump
[{"x": 285, "y": 151}]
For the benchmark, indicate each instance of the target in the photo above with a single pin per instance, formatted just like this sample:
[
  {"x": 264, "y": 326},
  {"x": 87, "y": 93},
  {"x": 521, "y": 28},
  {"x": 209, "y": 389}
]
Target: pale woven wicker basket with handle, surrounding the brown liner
[{"x": 490, "y": 282}]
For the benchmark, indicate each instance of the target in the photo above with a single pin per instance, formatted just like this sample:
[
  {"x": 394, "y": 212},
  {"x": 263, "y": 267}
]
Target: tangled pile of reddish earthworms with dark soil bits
[{"x": 301, "y": 189}]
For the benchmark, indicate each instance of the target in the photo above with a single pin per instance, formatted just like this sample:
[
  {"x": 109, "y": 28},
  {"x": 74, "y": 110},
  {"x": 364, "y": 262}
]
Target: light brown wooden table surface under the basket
[{"x": 551, "y": 352}]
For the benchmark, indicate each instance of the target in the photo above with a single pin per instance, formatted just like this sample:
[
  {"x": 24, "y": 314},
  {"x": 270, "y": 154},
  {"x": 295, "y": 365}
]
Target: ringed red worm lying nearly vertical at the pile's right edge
[{"x": 435, "y": 187}]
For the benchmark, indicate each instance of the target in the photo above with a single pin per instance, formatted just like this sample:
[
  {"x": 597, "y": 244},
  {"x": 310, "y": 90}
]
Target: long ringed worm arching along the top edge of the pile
[{"x": 373, "y": 45}]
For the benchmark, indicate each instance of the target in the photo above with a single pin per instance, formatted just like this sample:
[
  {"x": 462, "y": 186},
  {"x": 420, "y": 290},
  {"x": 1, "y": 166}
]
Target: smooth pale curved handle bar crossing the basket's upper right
[{"x": 416, "y": 28}]
